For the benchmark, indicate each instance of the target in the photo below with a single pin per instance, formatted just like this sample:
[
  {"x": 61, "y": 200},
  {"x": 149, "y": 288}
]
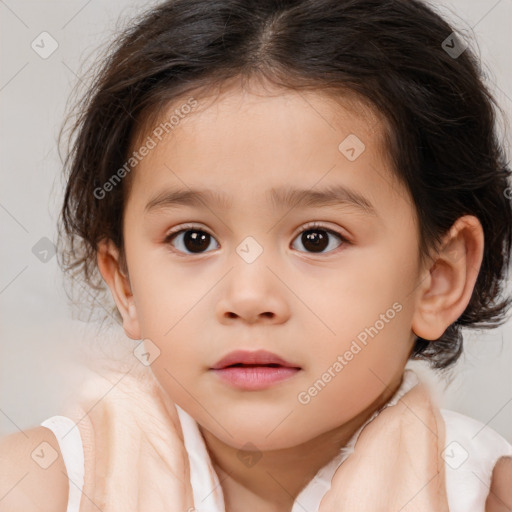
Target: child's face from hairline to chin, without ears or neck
[{"x": 343, "y": 314}]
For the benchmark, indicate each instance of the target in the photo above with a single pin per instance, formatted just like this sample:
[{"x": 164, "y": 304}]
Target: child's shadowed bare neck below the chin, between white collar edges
[{"x": 274, "y": 481}]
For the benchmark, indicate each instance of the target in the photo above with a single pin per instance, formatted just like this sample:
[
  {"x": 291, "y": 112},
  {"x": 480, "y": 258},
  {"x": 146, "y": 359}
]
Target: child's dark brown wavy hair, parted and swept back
[{"x": 392, "y": 54}]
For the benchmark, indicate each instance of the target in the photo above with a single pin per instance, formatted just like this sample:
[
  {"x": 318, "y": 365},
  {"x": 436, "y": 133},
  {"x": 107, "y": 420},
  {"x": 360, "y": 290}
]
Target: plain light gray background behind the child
[{"x": 41, "y": 338}]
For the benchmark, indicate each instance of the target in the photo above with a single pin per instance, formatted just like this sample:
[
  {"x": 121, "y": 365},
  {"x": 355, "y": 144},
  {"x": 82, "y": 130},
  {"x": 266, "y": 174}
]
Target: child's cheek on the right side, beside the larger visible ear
[{"x": 369, "y": 313}]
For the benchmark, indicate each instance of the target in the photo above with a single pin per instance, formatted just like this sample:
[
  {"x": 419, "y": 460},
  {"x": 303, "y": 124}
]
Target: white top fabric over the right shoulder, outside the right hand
[{"x": 471, "y": 452}]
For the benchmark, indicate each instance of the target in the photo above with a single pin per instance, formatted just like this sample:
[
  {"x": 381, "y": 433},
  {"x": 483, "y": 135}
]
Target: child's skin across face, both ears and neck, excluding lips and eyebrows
[{"x": 307, "y": 307}]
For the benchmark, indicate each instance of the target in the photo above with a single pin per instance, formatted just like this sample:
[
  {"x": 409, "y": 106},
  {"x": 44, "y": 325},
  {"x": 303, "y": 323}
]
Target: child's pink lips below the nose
[{"x": 255, "y": 370}]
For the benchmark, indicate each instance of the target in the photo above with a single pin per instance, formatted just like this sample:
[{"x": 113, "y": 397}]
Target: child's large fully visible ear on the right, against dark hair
[{"x": 447, "y": 286}]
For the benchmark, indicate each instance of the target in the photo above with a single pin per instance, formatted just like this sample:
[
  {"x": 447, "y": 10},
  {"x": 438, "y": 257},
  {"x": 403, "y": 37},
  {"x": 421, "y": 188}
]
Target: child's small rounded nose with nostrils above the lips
[{"x": 253, "y": 293}]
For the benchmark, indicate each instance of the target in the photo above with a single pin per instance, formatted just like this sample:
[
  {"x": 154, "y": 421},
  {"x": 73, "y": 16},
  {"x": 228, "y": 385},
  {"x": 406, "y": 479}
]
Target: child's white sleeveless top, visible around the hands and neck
[{"x": 472, "y": 449}]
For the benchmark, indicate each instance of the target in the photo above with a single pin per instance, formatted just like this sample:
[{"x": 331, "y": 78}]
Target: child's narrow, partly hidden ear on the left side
[{"x": 118, "y": 281}]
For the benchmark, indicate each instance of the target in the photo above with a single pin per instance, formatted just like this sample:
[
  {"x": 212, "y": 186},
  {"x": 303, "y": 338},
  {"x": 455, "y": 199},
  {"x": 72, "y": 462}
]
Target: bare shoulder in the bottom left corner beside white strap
[{"x": 32, "y": 472}]
